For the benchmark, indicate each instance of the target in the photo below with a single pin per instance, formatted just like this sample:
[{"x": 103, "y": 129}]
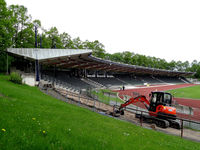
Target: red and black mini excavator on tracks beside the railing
[{"x": 160, "y": 110}]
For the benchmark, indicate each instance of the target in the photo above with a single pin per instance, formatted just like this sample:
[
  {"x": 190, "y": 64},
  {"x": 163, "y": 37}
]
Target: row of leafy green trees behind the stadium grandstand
[{"x": 17, "y": 30}]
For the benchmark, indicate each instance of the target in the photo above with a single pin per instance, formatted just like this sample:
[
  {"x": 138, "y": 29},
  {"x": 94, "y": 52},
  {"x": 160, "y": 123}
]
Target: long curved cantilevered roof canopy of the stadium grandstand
[{"x": 82, "y": 59}]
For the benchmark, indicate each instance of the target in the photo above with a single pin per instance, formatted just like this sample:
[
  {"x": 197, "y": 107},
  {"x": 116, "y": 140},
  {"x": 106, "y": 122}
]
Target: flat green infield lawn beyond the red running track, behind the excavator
[{"x": 188, "y": 92}]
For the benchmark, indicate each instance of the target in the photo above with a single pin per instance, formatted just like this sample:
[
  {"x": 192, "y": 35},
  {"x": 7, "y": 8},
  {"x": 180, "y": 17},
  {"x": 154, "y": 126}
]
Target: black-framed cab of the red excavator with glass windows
[{"x": 159, "y": 98}]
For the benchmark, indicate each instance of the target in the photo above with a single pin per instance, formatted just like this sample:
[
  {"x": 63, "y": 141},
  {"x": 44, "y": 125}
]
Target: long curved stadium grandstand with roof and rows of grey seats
[{"x": 77, "y": 69}]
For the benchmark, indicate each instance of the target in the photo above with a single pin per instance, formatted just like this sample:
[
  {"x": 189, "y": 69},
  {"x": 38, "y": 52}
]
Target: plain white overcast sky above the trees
[{"x": 168, "y": 29}]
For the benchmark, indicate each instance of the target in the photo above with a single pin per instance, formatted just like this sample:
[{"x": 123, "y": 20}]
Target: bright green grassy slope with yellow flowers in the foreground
[{"x": 68, "y": 126}]
